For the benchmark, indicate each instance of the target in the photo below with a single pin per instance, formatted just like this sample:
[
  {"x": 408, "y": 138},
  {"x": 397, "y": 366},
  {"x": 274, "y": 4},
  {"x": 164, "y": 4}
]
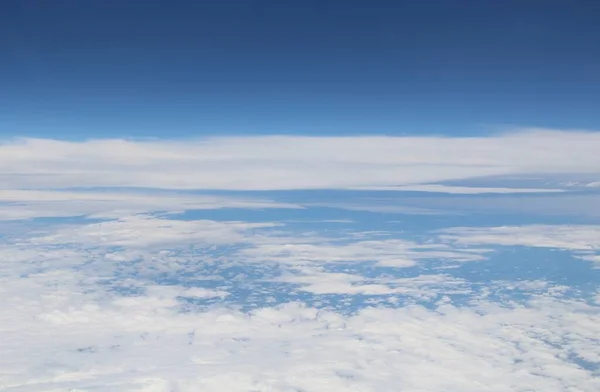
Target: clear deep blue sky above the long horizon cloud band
[{"x": 109, "y": 68}]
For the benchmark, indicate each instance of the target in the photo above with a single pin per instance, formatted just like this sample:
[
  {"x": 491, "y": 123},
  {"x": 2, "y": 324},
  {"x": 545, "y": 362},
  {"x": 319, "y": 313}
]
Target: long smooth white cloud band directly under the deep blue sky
[{"x": 286, "y": 162}]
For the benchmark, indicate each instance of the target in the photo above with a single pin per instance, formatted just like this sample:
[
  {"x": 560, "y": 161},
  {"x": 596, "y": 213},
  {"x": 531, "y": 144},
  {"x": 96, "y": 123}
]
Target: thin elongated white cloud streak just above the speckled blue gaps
[{"x": 263, "y": 242}]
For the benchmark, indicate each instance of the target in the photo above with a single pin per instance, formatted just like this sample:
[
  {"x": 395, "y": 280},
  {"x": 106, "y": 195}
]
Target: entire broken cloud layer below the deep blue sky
[{"x": 127, "y": 294}]
